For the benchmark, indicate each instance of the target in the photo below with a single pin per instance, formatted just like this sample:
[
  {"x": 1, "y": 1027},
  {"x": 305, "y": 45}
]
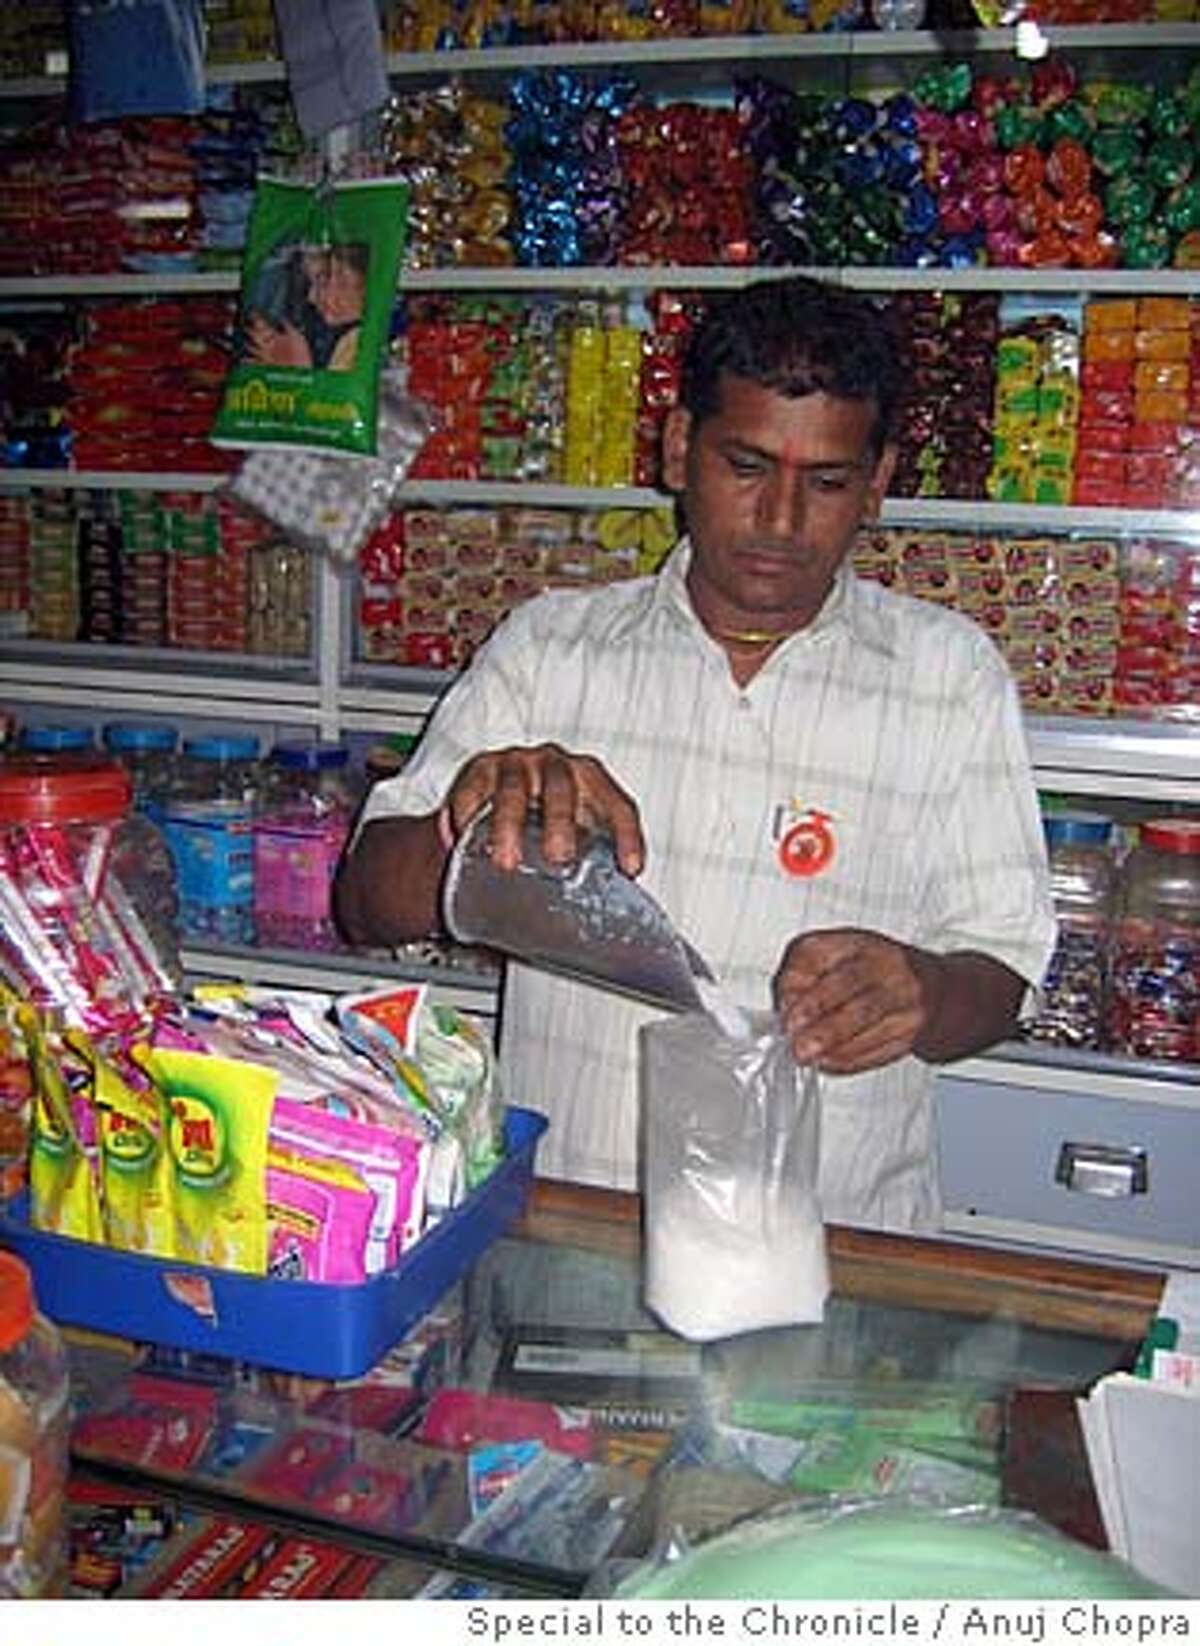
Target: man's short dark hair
[{"x": 798, "y": 338}]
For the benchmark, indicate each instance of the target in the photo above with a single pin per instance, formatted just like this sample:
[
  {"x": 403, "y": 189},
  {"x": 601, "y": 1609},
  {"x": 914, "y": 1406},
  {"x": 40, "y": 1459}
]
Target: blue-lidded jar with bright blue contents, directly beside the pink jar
[{"x": 210, "y": 829}]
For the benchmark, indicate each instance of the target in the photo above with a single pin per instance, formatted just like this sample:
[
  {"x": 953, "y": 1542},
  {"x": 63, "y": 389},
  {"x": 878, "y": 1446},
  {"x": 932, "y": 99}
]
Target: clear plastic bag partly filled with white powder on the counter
[{"x": 735, "y": 1239}]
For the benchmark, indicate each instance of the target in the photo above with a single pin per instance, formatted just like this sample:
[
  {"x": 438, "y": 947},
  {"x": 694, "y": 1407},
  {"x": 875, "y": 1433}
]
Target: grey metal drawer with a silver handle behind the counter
[{"x": 1077, "y": 1158}]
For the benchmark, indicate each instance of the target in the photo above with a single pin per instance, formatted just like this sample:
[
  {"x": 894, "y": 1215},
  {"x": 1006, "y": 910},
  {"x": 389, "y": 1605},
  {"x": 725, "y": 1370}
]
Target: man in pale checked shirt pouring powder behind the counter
[{"x": 822, "y": 783}]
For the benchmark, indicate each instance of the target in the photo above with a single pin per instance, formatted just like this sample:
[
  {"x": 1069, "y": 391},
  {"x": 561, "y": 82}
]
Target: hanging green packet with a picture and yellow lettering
[{"x": 319, "y": 286}]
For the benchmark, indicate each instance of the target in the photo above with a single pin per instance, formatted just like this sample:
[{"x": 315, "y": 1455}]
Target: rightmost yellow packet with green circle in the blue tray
[{"x": 216, "y": 1132}]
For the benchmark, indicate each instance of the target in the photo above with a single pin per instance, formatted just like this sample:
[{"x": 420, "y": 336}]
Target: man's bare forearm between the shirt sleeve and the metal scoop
[{"x": 388, "y": 888}]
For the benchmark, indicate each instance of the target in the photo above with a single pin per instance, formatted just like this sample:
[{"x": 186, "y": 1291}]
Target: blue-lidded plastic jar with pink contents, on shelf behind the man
[{"x": 299, "y": 837}]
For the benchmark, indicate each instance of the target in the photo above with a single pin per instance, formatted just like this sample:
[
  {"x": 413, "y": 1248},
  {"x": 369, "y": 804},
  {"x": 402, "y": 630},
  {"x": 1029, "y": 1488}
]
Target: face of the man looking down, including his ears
[{"x": 774, "y": 495}]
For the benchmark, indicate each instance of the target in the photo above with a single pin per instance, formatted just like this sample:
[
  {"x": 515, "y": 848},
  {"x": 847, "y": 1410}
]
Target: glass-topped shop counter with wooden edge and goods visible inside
[{"x": 544, "y": 1369}]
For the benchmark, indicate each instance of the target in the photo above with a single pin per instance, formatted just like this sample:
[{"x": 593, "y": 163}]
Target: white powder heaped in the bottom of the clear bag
[{"x": 709, "y": 1278}]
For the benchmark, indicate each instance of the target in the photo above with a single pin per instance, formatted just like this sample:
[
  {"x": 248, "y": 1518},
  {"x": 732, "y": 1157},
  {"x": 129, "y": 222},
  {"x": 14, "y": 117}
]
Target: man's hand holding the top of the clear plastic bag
[{"x": 852, "y": 1000}]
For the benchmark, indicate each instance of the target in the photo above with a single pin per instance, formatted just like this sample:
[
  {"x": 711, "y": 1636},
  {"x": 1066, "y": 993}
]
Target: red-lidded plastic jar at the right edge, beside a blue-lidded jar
[{"x": 1155, "y": 983}]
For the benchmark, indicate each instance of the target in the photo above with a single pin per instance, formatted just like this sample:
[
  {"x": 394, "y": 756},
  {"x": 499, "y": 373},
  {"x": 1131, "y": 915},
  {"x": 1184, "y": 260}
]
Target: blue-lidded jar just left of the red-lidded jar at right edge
[{"x": 1084, "y": 886}]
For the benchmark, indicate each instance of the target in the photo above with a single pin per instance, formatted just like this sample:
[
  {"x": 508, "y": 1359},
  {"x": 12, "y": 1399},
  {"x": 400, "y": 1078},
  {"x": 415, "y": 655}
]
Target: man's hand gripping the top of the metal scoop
[{"x": 572, "y": 791}]
